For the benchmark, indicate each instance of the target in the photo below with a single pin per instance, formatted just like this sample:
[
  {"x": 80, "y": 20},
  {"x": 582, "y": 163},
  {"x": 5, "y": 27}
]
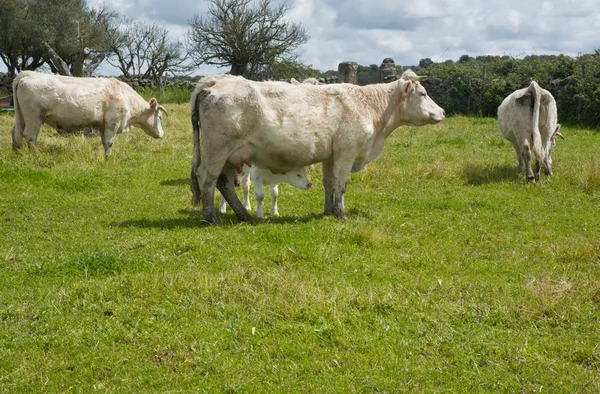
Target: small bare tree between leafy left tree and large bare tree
[{"x": 147, "y": 50}]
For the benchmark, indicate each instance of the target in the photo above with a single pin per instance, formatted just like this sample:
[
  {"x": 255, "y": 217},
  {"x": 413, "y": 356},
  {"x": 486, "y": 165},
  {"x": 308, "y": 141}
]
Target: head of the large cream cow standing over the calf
[{"x": 417, "y": 108}]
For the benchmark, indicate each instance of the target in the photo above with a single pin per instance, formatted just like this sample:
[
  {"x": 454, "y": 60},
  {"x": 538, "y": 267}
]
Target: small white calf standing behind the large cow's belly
[{"x": 263, "y": 177}]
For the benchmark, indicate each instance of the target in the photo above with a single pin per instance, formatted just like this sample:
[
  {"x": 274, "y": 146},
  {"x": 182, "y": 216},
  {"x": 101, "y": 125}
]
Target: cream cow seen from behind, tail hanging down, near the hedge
[{"x": 528, "y": 119}]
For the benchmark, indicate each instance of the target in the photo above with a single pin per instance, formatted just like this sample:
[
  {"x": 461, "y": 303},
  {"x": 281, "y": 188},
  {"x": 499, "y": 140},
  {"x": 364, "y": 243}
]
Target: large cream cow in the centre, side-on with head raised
[{"x": 280, "y": 126}]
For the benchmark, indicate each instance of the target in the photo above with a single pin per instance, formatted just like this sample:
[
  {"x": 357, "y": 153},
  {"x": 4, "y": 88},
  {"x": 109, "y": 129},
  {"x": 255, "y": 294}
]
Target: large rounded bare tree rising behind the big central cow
[{"x": 246, "y": 39}]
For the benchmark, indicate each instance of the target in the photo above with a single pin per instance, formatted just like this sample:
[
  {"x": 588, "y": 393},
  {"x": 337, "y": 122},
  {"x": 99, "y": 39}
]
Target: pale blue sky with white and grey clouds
[{"x": 367, "y": 31}]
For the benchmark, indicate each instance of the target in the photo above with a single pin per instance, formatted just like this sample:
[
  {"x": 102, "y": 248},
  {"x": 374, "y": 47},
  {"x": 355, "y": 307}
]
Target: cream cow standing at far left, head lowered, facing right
[{"x": 69, "y": 103}]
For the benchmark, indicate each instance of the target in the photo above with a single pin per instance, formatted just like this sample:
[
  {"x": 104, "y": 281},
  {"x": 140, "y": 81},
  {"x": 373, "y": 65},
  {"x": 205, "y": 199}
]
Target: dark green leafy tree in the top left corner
[{"x": 65, "y": 34}]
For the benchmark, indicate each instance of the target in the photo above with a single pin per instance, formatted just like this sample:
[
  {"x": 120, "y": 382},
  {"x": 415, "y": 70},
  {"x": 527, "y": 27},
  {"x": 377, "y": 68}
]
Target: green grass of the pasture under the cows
[{"x": 451, "y": 274}]
